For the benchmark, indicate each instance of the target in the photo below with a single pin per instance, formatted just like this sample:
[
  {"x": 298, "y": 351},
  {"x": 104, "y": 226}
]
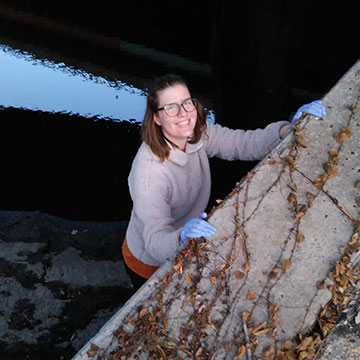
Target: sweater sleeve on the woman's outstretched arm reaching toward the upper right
[{"x": 229, "y": 144}]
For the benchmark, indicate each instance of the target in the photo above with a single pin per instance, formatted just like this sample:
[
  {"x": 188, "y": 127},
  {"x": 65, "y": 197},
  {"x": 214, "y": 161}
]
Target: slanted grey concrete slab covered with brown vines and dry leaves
[{"x": 275, "y": 278}]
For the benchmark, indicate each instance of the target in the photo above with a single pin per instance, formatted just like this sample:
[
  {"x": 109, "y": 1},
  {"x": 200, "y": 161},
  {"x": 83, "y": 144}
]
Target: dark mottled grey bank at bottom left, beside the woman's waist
[{"x": 60, "y": 281}]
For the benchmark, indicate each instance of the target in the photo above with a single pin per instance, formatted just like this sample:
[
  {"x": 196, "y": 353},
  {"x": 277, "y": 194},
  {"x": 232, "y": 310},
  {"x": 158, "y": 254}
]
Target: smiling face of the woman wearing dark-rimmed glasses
[{"x": 176, "y": 128}]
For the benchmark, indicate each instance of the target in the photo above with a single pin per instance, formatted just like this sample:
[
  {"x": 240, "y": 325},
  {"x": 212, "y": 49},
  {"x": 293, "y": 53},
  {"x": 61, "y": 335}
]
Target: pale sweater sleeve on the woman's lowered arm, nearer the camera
[{"x": 151, "y": 191}]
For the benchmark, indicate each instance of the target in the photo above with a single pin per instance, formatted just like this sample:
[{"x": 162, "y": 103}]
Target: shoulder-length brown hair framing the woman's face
[{"x": 151, "y": 132}]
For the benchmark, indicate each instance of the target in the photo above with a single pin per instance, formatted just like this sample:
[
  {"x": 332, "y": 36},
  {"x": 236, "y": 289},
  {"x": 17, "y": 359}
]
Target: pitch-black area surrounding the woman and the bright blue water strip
[{"x": 267, "y": 58}]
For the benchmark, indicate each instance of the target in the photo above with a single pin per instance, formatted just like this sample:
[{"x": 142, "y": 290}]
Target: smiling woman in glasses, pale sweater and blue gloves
[{"x": 169, "y": 180}]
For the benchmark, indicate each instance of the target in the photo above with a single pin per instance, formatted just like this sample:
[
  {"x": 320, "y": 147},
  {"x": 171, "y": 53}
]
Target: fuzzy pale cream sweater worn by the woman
[{"x": 167, "y": 194}]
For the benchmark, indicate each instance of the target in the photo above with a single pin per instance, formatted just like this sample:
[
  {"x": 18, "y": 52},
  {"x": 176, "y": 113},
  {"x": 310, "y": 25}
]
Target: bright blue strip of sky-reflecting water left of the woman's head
[{"x": 39, "y": 84}]
